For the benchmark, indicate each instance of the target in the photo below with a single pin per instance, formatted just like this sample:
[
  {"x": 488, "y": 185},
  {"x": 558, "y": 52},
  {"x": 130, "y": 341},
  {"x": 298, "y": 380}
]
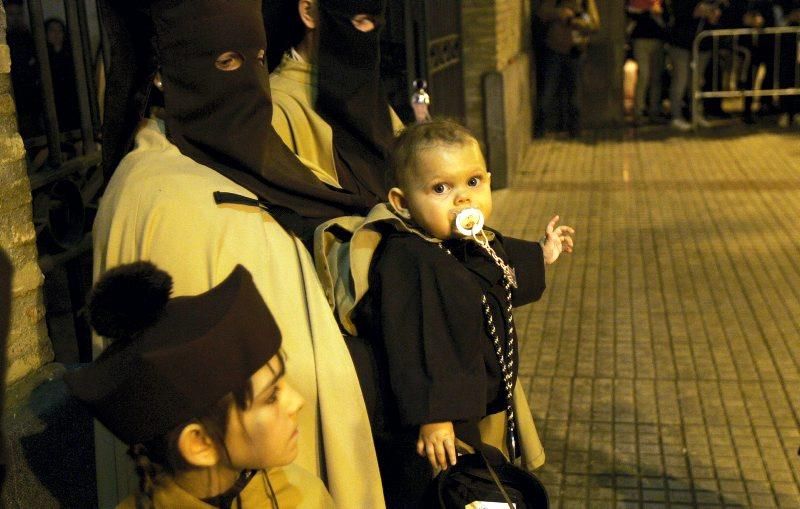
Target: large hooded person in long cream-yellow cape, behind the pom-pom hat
[{"x": 209, "y": 186}]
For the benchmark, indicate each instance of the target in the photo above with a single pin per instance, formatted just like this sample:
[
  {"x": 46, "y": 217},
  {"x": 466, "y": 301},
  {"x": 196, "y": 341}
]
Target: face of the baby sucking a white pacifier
[{"x": 447, "y": 179}]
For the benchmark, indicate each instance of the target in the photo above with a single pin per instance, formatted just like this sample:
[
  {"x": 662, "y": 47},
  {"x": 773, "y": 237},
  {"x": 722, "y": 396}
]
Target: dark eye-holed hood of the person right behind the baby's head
[{"x": 351, "y": 97}]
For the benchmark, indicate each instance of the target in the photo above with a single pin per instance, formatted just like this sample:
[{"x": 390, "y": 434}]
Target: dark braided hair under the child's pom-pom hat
[{"x": 162, "y": 455}]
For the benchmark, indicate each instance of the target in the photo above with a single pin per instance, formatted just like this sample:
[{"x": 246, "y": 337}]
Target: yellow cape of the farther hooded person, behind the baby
[{"x": 299, "y": 126}]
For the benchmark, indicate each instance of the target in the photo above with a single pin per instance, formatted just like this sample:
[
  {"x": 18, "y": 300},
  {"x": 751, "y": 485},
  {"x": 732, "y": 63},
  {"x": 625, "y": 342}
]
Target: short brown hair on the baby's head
[{"x": 417, "y": 137}]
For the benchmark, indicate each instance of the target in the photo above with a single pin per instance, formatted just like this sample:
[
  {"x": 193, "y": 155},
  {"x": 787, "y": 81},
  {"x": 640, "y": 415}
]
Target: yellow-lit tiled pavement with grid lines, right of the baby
[{"x": 663, "y": 363}]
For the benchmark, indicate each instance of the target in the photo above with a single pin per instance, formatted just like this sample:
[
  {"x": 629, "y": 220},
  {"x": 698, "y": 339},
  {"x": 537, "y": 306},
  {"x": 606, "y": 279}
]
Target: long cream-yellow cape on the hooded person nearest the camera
[{"x": 159, "y": 207}]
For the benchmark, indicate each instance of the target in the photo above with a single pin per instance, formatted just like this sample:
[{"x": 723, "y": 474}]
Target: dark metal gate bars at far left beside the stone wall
[{"x": 64, "y": 157}]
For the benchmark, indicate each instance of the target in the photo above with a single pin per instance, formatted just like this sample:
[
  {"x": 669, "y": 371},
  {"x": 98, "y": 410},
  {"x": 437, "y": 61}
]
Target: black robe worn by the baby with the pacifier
[{"x": 435, "y": 360}]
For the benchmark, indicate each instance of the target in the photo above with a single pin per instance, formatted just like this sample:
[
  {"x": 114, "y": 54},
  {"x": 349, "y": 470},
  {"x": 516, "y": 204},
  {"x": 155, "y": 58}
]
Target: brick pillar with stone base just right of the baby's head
[{"x": 496, "y": 38}]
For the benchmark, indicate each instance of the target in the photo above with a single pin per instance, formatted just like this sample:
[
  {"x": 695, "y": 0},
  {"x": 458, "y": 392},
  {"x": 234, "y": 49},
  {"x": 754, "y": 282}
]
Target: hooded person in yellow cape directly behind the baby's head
[{"x": 331, "y": 108}]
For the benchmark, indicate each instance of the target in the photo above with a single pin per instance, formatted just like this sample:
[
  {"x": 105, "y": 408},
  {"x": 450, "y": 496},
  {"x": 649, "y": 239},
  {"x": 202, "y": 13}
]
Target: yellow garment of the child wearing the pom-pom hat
[{"x": 286, "y": 483}]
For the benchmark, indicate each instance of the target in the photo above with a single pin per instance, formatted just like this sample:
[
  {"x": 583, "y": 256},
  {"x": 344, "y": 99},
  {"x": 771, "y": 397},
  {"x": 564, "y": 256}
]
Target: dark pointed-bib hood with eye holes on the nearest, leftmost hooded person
[{"x": 221, "y": 119}]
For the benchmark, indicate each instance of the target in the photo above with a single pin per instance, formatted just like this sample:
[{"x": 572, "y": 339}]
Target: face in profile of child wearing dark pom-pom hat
[{"x": 265, "y": 434}]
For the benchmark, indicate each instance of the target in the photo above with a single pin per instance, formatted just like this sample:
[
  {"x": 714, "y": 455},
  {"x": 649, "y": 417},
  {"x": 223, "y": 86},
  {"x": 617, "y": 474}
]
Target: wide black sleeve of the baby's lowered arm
[{"x": 431, "y": 321}]
